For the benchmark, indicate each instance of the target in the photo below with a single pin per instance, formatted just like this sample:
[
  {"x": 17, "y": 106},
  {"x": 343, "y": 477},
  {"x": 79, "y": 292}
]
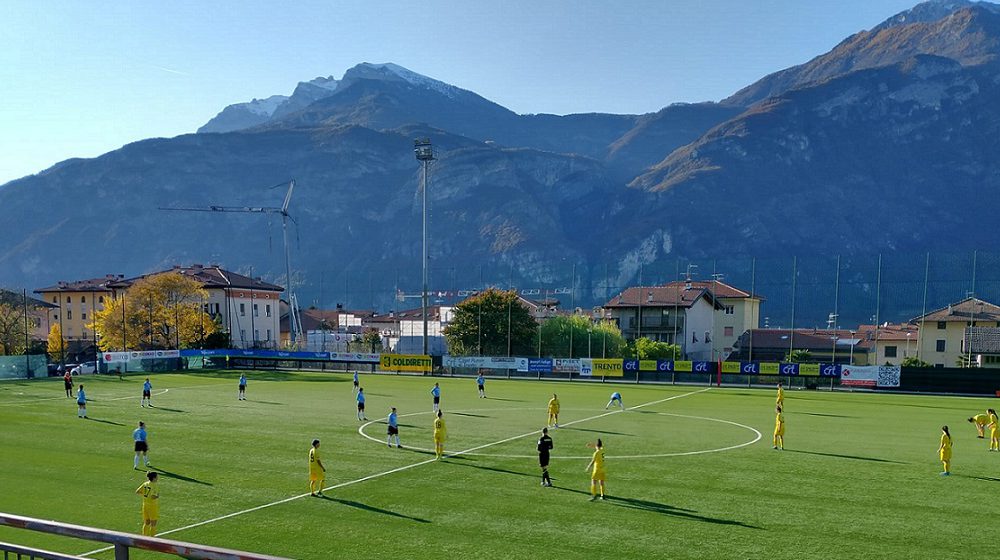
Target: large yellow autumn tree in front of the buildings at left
[{"x": 160, "y": 311}]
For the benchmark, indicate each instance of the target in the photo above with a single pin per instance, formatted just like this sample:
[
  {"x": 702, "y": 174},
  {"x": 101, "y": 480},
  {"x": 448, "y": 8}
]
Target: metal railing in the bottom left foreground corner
[{"x": 120, "y": 542}]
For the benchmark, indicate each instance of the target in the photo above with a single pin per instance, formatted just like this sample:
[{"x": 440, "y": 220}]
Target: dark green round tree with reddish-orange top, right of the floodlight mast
[{"x": 491, "y": 323}]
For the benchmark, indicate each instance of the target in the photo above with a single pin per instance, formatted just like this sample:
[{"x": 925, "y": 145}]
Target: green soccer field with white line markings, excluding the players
[{"x": 691, "y": 472}]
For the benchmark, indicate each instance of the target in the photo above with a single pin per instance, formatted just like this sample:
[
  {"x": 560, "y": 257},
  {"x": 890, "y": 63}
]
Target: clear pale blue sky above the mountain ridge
[{"x": 78, "y": 79}]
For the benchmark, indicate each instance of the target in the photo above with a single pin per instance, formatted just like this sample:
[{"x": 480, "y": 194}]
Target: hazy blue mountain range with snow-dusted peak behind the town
[{"x": 886, "y": 143}]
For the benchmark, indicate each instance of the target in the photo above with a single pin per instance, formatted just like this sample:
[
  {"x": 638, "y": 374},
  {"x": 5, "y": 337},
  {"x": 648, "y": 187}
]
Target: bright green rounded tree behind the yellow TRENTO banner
[{"x": 589, "y": 339}]
